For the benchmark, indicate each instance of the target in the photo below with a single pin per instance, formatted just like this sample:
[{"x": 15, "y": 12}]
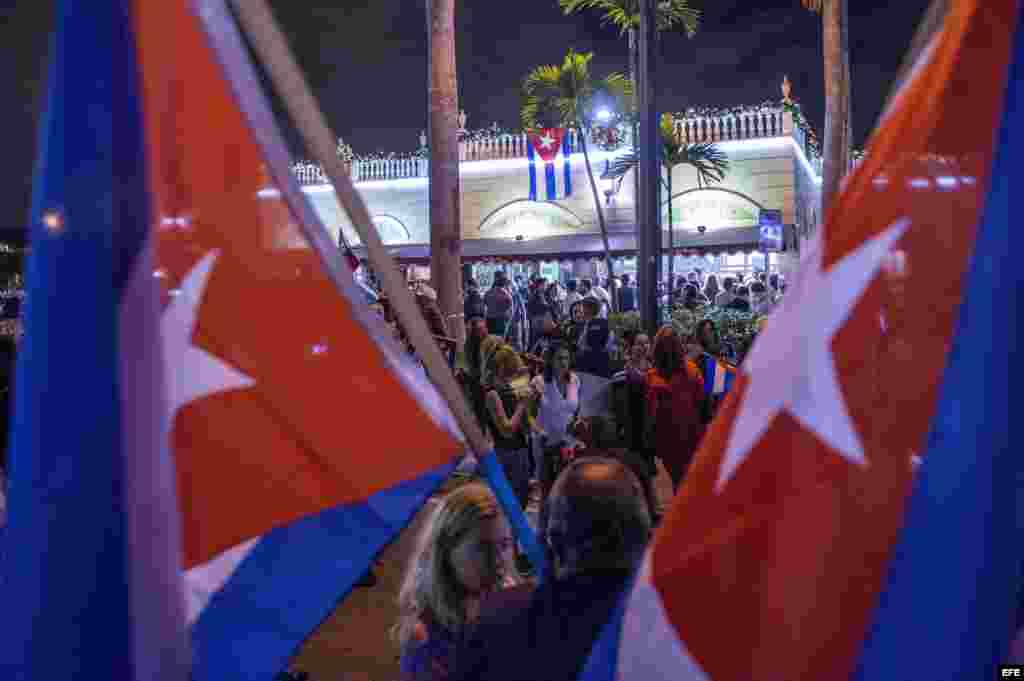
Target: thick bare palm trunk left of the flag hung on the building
[{"x": 446, "y": 223}]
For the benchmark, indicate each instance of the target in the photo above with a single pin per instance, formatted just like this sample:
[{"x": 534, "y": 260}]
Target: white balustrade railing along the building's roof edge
[{"x": 690, "y": 130}]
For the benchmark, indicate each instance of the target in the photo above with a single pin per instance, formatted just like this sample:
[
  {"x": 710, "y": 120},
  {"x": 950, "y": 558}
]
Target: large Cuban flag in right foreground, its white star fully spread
[{"x": 803, "y": 545}]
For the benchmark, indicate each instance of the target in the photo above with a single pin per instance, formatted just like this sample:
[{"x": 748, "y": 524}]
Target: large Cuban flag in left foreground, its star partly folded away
[{"x": 201, "y": 391}]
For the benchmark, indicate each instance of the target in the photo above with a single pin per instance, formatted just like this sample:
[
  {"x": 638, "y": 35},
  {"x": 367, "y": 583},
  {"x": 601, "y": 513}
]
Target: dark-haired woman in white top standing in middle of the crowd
[{"x": 560, "y": 391}]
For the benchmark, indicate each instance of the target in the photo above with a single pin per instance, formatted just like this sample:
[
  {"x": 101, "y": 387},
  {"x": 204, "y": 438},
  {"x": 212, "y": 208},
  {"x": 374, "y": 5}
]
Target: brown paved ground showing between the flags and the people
[{"x": 353, "y": 645}]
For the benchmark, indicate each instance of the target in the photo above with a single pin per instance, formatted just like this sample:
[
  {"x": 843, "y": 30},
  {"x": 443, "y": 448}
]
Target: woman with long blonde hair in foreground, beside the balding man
[{"x": 464, "y": 554}]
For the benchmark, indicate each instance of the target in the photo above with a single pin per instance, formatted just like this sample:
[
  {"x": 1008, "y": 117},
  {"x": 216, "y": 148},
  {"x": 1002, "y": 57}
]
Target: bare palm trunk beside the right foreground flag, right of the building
[{"x": 837, "y": 68}]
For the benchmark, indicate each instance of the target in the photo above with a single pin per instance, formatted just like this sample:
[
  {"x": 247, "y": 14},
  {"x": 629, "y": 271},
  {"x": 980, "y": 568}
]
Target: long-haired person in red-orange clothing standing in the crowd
[{"x": 675, "y": 405}]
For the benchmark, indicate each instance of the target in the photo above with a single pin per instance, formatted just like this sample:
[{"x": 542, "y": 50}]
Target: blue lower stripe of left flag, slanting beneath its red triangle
[{"x": 293, "y": 580}]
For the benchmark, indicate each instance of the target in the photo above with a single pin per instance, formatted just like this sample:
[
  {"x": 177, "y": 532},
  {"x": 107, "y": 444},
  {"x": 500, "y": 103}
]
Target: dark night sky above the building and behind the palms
[{"x": 366, "y": 61}]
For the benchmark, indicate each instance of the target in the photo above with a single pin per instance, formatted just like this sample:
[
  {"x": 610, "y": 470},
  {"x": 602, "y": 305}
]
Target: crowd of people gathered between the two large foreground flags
[{"x": 470, "y": 607}]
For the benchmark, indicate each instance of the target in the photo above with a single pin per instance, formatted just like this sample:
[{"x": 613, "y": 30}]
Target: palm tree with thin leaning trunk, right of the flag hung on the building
[{"x": 565, "y": 96}]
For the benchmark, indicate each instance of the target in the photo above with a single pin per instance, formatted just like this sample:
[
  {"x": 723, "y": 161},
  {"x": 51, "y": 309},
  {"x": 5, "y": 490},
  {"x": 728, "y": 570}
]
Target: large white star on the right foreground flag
[{"x": 791, "y": 366}]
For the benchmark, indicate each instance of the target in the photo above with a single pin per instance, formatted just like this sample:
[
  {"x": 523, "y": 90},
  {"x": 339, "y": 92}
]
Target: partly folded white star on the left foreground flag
[{"x": 192, "y": 372}]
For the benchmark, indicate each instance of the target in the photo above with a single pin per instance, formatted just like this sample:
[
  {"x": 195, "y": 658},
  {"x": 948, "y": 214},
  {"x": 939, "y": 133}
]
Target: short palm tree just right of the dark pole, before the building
[{"x": 710, "y": 163}]
